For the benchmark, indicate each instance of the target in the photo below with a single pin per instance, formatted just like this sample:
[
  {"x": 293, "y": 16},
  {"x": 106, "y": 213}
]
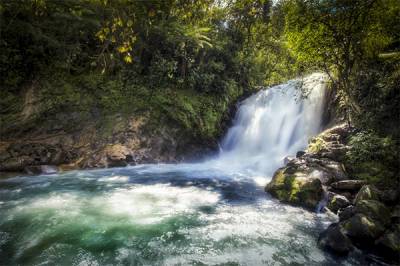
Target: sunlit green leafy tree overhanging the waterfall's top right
[{"x": 338, "y": 36}]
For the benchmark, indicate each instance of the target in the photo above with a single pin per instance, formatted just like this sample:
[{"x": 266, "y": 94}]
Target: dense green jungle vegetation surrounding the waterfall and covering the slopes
[{"x": 188, "y": 61}]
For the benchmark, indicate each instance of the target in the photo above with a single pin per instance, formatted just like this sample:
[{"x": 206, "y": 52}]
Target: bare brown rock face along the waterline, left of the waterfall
[{"x": 126, "y": 141}]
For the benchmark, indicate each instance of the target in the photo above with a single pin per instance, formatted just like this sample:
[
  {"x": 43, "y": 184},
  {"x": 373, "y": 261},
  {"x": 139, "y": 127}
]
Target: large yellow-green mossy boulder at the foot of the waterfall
[{"x": 297, "y": 189}]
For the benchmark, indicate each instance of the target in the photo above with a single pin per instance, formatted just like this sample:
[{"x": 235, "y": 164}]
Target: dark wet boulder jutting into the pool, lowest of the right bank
[{"x": 334, "y": 239}]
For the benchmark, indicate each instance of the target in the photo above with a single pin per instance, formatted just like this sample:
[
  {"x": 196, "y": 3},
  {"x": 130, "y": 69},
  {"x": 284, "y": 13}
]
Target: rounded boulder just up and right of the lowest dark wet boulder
[{"x": 362, "y": 229}]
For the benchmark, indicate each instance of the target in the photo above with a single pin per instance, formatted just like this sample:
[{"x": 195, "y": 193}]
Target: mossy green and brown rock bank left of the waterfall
[{"x": 144, "y": 126}]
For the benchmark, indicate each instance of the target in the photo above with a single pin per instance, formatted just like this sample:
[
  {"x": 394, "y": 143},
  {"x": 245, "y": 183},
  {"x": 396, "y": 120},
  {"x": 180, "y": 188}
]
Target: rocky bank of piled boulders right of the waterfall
[{"x": 322, "y": 179}]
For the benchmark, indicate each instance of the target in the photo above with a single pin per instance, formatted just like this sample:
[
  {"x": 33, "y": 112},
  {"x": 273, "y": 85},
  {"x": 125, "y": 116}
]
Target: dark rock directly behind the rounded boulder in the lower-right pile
[{"x": 373, "y": 209}]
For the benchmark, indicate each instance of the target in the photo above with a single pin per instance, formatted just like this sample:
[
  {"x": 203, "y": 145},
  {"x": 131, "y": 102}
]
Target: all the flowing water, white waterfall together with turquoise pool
[{"x": 210, "y": 213}]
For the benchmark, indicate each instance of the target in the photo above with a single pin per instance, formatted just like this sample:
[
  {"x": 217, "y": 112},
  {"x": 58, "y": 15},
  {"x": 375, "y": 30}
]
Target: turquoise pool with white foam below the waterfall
[{"x": 184, "y": 214}]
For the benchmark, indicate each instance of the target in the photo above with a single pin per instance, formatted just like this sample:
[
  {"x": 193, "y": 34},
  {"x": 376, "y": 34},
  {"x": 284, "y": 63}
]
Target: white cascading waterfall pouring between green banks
[{"x": 274, "y": 123}]
